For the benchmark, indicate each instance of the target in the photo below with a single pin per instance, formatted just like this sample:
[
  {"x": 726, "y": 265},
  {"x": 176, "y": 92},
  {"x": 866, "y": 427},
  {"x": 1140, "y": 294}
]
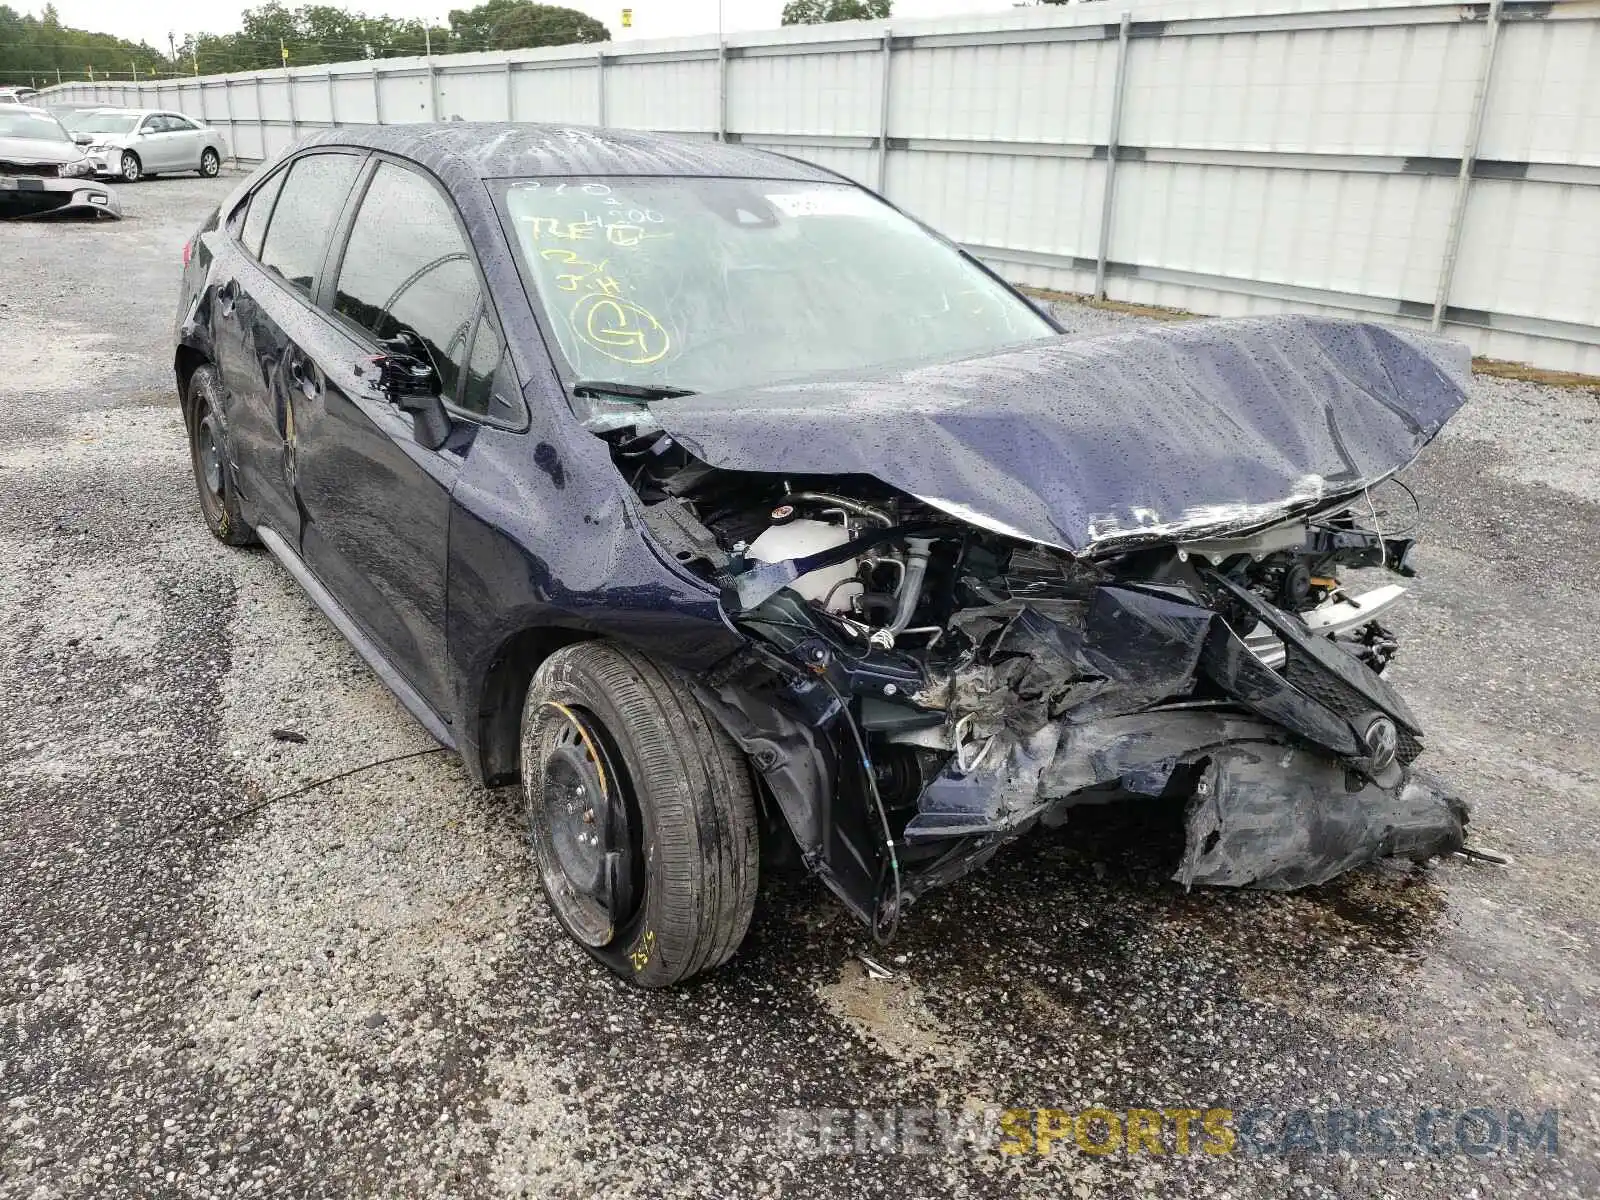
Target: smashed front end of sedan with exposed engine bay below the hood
[{"x": 921, "y": 690}]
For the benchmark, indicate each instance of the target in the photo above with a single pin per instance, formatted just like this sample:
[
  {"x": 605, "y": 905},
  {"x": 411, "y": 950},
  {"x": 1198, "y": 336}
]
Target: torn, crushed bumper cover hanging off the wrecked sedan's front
[{"x": 1292, "y": 777}]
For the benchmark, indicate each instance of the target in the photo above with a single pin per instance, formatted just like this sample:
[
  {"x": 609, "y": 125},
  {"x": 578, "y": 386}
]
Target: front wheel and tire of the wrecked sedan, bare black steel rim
[{"x": 641, "y": 812}]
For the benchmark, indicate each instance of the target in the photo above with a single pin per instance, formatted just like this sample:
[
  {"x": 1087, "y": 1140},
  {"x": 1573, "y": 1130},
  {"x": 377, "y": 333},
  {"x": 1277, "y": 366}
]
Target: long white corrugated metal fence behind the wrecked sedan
[{"x": 1420, "y": 162}]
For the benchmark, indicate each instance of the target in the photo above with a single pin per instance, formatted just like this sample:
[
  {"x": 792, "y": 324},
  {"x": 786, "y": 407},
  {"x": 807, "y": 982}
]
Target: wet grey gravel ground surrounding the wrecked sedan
[{"x": 359, "y": 993}]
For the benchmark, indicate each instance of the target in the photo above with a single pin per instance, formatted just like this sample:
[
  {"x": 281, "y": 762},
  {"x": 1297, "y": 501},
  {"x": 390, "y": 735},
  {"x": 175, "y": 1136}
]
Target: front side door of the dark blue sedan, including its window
[{"x": 375, "y": 502}]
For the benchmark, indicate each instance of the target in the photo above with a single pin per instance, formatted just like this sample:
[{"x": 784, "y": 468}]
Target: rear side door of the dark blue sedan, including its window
[{"x": 262, "y": 295}]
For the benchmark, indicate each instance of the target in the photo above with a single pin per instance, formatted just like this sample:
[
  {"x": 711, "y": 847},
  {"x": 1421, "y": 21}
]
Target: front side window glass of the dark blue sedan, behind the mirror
[{"x": 409, "y": 270}]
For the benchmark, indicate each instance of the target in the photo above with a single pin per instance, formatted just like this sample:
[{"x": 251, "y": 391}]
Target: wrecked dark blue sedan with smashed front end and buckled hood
[{"x": 732, "y": 511}]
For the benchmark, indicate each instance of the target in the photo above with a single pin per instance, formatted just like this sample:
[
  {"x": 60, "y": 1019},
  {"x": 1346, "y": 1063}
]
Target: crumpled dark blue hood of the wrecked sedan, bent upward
[{"x": 1186, "y": 430}]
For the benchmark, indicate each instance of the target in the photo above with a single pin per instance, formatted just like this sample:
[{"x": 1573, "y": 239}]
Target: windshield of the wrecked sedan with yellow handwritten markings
[{"x": 711, "y": 284}]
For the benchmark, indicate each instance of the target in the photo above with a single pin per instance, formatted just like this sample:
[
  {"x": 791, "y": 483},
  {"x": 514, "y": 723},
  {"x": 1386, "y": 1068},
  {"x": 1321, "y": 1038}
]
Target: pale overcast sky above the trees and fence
[{"x": 153, "y": 20}]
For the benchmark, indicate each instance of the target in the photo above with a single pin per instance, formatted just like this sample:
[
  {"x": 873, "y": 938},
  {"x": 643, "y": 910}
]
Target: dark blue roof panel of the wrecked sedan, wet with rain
[{"x": 503, "y": 151}]
